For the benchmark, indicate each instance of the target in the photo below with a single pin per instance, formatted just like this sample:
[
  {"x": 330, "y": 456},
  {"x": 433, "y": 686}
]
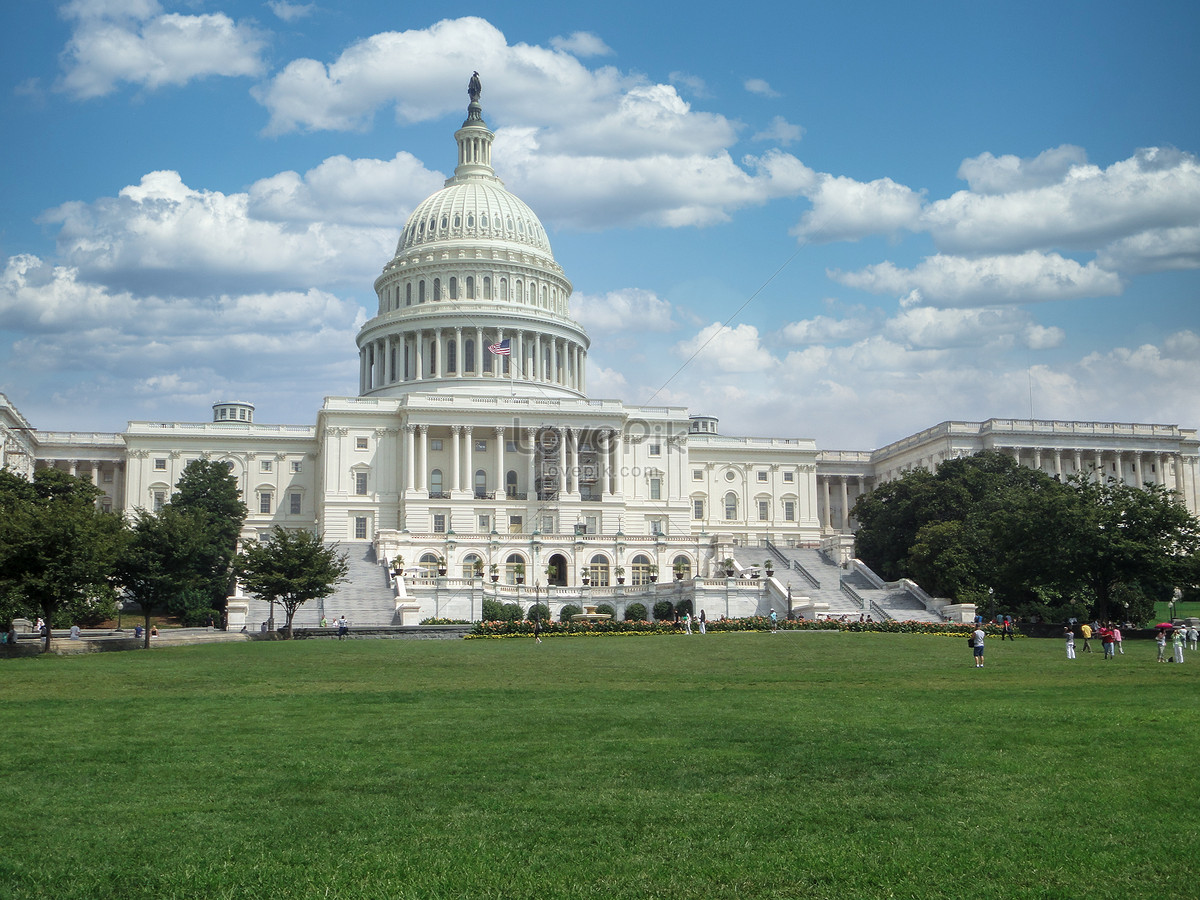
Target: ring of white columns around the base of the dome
[{"x": 463, "y": 353}]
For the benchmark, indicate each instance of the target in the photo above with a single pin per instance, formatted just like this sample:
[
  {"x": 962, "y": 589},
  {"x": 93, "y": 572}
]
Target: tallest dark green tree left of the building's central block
[{"x": 208, "y": 495}]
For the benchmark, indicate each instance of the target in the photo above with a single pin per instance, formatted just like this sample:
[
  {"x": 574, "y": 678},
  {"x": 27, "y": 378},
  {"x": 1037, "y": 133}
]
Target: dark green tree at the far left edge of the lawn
[{"x": 58, "y": 550}]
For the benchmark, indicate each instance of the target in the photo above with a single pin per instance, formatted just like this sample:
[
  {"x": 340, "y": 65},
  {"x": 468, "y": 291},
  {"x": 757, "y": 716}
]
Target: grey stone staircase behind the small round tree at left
[{"x": 365, "y": 598}]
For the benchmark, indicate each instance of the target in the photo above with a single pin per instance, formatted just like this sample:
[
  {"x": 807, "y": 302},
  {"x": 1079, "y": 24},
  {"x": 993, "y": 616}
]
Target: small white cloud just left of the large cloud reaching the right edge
[{"x": 845, "y": 209}]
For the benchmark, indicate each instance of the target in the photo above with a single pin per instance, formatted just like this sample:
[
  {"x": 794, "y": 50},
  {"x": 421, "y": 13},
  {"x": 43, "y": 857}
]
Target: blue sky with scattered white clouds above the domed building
[{"x": 839, "y": 221}]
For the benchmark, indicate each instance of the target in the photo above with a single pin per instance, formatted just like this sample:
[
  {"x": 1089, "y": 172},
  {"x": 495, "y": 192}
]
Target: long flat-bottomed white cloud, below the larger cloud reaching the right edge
[{"x": 950, "y": 281}]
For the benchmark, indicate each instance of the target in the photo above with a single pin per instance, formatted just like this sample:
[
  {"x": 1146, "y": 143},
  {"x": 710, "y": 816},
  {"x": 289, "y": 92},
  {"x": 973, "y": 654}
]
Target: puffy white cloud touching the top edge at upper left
[{"x": 135, "y": 43}]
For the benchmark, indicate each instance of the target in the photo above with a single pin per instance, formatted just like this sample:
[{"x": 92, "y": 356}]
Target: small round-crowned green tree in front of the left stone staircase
[{"x": 291, "y": 568}]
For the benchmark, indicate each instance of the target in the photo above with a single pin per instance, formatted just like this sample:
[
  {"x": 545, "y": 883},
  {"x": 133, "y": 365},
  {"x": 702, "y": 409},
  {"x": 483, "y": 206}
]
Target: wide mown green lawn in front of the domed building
[{"x": 729, "y": 766}]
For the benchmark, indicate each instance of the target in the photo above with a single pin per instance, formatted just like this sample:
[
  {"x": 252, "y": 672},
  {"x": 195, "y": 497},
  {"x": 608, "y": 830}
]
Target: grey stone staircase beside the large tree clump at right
[{"x": 811, "y": 574}]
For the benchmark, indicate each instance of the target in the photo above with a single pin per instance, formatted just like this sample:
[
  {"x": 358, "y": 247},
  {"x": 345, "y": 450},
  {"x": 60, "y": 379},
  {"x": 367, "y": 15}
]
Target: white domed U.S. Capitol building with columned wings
[{"x": 473, "y": 443}]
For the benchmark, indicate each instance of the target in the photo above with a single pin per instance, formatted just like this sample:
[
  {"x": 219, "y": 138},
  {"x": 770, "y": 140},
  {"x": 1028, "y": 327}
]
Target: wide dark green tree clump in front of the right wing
[{"x": 1010, "y": 539}]
